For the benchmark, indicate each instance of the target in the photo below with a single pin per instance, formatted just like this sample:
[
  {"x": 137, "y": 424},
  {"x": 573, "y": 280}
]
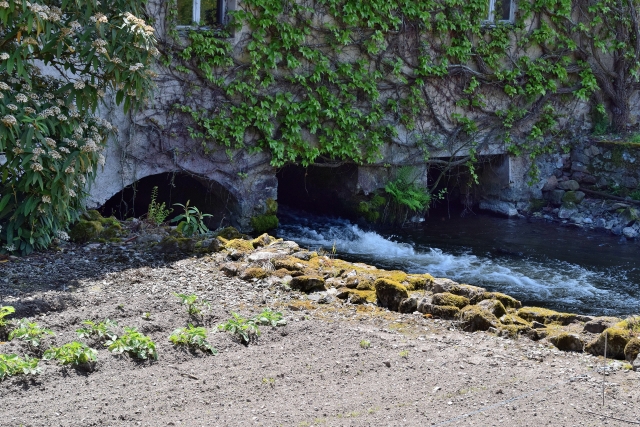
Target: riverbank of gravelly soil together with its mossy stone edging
[{"x": 342, "y": 359}]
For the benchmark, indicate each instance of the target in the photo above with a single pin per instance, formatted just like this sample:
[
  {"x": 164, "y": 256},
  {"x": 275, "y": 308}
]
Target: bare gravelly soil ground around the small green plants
[{"x": 313, "y": 371}]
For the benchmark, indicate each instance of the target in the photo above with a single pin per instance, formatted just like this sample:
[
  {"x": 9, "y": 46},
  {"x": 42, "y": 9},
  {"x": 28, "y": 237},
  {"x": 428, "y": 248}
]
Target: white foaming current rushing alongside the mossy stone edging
[{"x": 532, "y": 277}]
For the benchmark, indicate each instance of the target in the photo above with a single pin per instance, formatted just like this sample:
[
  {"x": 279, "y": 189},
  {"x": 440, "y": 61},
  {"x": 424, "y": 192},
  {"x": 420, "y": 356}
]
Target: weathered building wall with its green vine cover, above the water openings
[{"x": 385, "y": 82}]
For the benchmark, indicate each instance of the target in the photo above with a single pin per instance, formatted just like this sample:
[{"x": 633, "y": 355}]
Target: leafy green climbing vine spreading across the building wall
[{"x": 328, "y": 80}]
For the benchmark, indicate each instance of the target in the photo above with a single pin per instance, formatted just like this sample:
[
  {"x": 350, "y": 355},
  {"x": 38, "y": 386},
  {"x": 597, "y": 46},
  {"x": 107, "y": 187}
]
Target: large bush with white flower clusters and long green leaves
[{"x": 50, "y": 139}]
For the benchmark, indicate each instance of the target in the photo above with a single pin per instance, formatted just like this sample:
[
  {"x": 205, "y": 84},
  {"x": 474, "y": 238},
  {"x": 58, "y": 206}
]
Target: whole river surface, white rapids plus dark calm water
[{"x": 541, "y": 264}]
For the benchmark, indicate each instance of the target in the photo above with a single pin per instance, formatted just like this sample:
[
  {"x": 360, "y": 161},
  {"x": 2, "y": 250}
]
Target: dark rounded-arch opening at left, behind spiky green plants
[{"x": 207, "y": 195}]
